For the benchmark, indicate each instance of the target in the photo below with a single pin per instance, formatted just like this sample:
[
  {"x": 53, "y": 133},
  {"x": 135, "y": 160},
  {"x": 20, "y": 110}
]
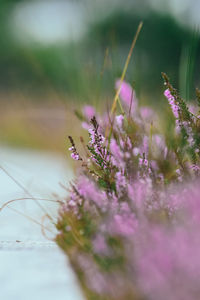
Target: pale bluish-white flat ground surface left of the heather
[{"x": 31, "y": 266}]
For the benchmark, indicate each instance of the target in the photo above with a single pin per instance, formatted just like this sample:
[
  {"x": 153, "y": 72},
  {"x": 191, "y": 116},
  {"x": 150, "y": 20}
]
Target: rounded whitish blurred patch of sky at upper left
[{"x": 48, "y": 21}]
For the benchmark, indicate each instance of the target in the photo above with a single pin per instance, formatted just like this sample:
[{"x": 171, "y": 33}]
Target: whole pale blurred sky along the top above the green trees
[{"x": 53, "y": 21}]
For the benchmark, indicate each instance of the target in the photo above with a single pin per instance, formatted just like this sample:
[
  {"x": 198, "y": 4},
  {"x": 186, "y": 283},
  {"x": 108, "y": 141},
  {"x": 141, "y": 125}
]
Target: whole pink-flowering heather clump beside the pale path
[{"x": 130, "y": 224}]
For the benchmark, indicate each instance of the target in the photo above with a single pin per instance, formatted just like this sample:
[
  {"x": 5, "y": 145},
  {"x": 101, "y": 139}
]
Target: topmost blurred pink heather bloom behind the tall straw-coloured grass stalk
[{"x": 126, "y": 94}]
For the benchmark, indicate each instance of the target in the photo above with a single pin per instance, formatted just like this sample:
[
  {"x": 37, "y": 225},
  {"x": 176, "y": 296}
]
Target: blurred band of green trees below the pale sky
[{"x": 75, "y": 68}]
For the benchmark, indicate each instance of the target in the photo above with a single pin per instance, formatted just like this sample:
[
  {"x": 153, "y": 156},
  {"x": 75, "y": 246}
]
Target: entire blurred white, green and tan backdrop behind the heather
[{"x": 56, "y": 55}]
